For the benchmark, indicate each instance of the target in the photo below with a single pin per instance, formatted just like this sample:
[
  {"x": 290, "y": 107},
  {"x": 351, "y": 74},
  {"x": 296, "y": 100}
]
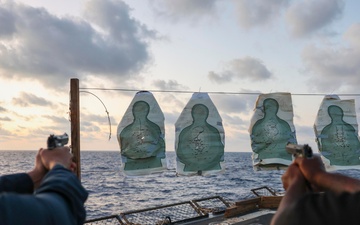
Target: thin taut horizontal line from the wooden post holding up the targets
[{"x": 210, "y": 92}]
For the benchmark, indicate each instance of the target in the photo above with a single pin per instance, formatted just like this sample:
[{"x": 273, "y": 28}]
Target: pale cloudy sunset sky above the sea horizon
[{"x": 232, "y": 46}]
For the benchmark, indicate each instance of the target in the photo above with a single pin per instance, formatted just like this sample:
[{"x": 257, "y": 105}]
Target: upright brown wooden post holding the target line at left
[{"x": 75, "y": 123}]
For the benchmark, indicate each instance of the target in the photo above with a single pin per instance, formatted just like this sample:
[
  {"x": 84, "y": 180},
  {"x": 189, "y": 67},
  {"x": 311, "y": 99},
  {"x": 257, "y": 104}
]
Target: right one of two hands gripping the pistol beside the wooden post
[{"x": 60, "y": 155}]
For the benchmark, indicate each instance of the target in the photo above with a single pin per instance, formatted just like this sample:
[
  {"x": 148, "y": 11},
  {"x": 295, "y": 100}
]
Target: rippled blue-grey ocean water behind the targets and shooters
[{"x": 110, "y": 192}]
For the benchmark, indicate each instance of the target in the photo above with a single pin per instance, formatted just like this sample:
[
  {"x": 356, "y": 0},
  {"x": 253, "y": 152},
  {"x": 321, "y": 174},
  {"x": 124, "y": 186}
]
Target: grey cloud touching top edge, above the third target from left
[{"x": 253, "y": 13}]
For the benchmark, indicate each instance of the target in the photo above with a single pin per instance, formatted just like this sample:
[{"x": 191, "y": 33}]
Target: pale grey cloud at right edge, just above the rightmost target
[{"x": 335, "y": 68}]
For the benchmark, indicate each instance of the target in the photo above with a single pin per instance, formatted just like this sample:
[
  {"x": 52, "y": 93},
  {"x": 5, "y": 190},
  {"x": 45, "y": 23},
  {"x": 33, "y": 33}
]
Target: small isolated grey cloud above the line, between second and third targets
[{"x": 246, "y": 68}]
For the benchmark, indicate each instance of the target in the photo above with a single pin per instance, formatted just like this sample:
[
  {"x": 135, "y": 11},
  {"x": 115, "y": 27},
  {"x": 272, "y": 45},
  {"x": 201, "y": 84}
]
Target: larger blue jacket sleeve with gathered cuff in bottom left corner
[{"x": 58, "y": 201}]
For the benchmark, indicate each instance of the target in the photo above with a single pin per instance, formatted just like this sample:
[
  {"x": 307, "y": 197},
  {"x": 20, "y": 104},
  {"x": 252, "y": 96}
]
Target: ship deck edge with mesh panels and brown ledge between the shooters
[{"x": 210, "y": 211}]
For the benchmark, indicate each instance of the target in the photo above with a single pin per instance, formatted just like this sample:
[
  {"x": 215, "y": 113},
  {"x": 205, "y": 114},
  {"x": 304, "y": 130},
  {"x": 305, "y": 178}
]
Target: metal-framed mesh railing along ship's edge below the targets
[{"x": 197, "y": 209}]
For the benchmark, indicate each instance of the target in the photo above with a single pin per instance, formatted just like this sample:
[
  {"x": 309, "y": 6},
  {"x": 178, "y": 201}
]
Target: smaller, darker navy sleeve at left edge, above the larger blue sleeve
[{"x": 19, "y": 183}]
